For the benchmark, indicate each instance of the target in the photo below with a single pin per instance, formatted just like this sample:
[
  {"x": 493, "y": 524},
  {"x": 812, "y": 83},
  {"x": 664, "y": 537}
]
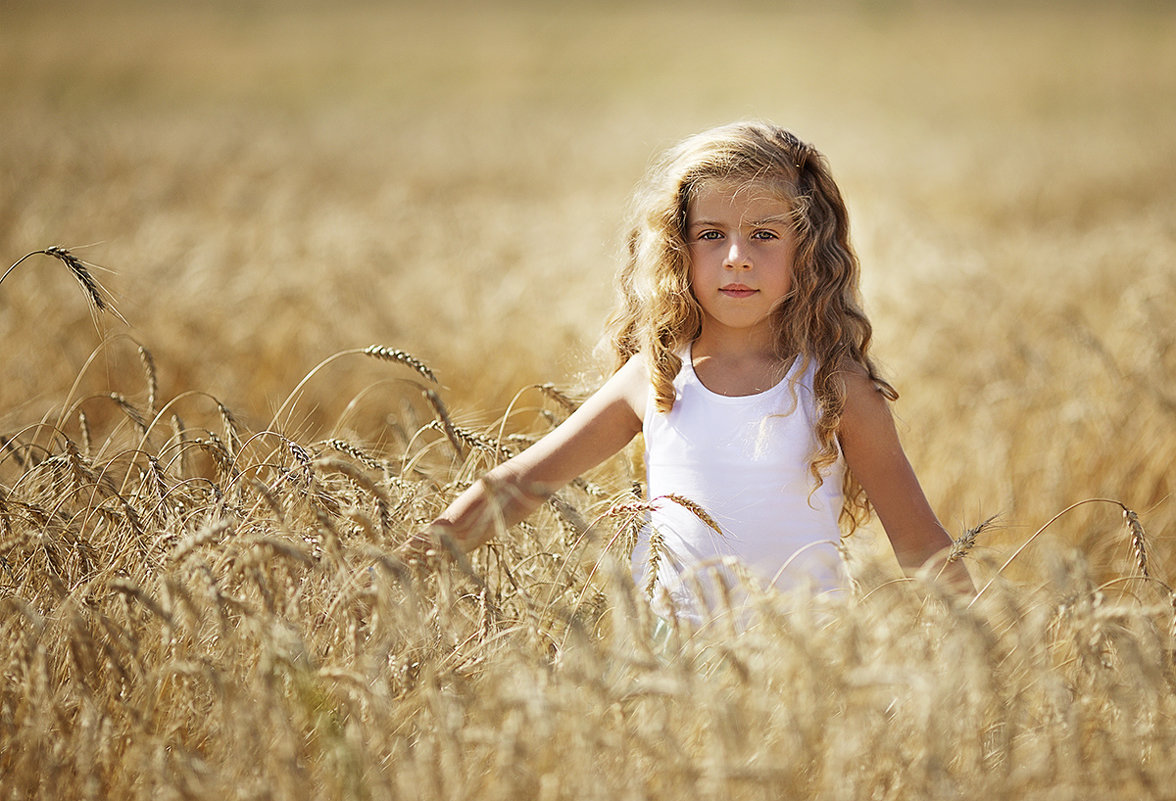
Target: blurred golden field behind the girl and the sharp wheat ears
[{"x": 273, "y": 183}]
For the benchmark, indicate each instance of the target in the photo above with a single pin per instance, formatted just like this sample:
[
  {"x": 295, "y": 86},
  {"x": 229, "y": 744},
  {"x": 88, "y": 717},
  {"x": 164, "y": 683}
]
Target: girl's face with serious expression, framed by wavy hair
[{"x": 741, "y": 248}]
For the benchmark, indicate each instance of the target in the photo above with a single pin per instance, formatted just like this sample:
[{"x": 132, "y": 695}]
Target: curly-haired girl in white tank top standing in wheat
[{"x": 741, "y": 352}]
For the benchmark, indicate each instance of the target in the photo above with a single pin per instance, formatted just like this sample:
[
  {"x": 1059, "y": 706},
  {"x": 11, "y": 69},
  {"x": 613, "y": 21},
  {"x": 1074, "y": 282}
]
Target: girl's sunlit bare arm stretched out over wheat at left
[{"x": 604, "y": 425}]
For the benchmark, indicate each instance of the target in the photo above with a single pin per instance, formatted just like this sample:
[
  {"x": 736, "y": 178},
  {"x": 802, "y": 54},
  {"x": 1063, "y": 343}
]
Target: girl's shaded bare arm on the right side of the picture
[{"x": 877, "y": 459}]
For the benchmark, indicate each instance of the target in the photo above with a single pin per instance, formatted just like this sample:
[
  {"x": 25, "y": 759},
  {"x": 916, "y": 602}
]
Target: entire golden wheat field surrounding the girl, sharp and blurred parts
[{"x": 296, "y": 276}]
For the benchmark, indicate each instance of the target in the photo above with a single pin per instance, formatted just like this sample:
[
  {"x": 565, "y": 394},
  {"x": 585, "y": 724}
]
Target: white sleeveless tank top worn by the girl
[{"x": 746, "y": 462}]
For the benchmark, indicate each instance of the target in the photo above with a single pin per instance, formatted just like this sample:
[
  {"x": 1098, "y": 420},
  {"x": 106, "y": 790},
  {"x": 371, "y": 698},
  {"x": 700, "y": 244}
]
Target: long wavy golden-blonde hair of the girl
[{"x": 820, "y": 322}]
